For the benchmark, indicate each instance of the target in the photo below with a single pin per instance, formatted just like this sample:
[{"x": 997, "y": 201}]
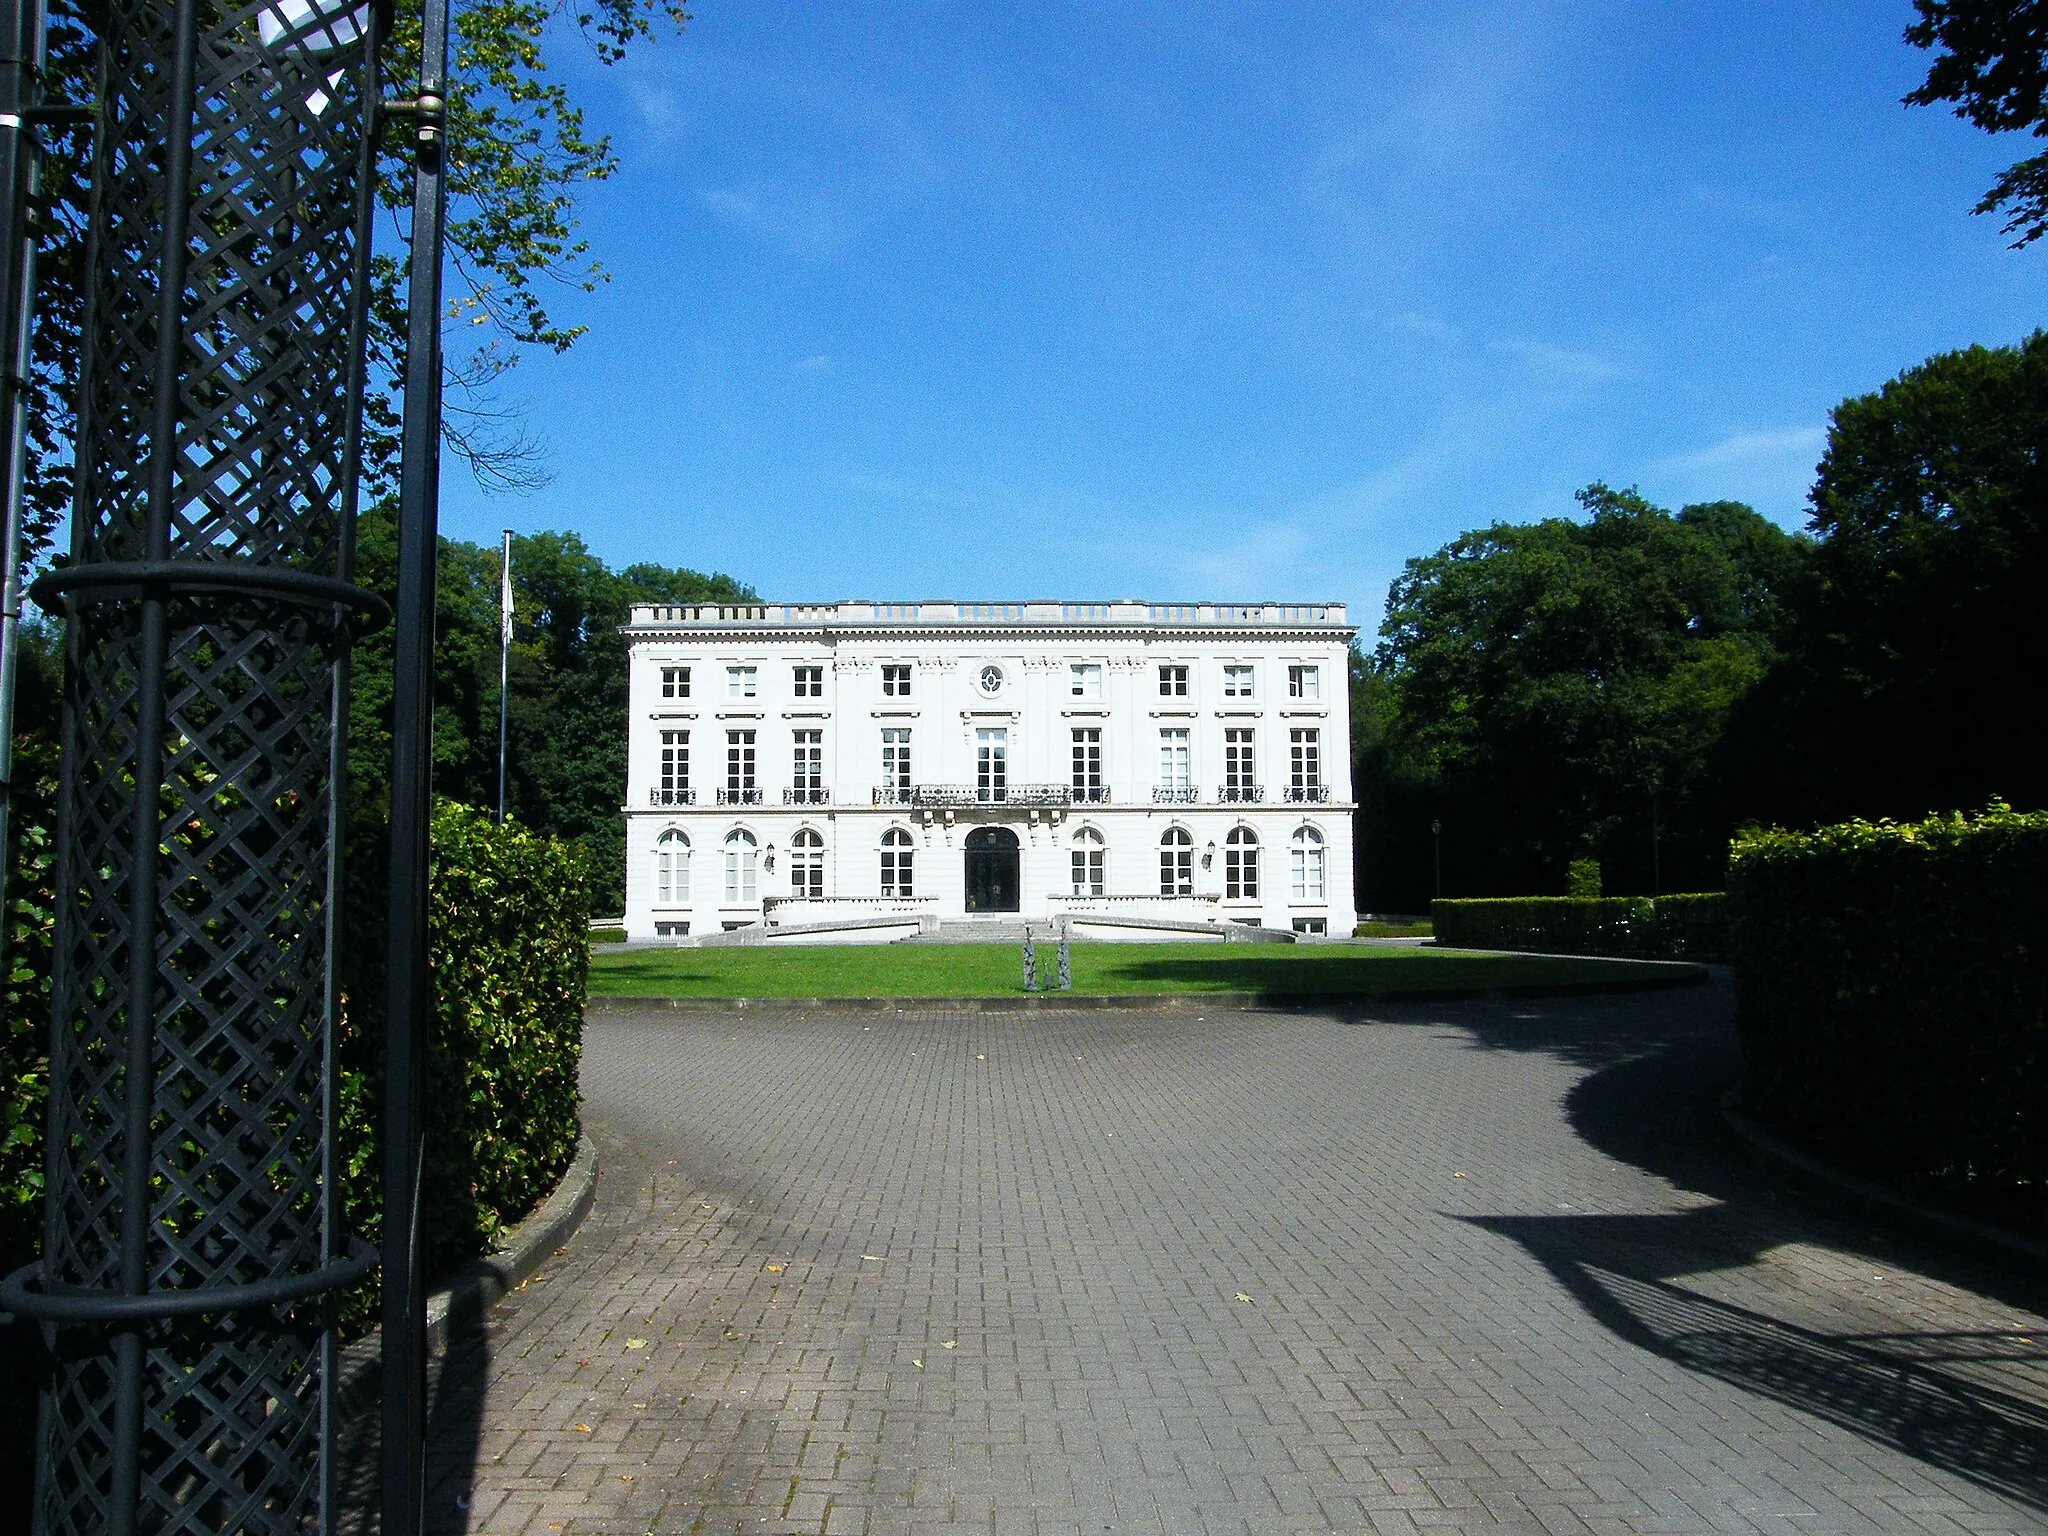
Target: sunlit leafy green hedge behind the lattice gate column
[{"x": 509, "y": 951}]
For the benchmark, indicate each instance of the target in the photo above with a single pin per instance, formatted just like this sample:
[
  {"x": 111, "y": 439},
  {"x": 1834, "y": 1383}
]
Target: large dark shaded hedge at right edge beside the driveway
[{"x": 1893, "y": 994}]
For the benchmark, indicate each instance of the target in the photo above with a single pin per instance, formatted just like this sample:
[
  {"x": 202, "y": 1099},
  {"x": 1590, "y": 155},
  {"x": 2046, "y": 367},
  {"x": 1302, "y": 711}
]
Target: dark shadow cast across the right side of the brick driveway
[{"x": 1967, "y": 1402}]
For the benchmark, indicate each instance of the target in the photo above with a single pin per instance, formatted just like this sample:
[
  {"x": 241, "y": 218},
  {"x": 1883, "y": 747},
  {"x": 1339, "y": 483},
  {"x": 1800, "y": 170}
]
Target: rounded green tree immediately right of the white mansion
[{"x": 1553, "y": 689}]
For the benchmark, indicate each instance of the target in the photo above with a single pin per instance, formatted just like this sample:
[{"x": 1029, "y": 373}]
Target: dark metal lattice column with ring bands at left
[{"x": 194, "y": 1242}]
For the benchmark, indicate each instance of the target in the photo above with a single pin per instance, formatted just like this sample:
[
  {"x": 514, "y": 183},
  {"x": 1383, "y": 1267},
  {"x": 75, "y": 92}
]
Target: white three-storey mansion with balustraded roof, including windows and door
[{"x": 898, "y": 761}]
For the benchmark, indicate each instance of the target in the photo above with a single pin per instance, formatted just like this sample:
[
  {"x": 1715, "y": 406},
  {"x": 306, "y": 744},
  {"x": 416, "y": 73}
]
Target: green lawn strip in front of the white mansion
[{"x": 996, "y": 970}]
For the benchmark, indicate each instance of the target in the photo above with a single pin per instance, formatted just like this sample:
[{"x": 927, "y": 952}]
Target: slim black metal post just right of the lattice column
[{"x": 413, "y": 763}]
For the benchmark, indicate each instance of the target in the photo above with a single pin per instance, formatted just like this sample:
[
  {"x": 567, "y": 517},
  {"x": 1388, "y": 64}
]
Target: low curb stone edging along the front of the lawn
[{"x": 1682, "y": 976}]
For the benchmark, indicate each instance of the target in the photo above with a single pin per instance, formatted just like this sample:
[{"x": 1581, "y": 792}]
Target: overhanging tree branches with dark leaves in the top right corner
[{"x": 1994, "y": 65}]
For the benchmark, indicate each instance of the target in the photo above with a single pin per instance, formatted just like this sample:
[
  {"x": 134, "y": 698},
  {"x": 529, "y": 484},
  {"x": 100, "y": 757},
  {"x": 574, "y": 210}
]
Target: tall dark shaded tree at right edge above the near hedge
[{"x": 1918, "y": 656}]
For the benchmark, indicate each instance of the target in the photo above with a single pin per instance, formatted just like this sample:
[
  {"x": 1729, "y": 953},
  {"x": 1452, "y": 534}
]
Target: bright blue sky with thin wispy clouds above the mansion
[{"x": 1234, "y": 302}]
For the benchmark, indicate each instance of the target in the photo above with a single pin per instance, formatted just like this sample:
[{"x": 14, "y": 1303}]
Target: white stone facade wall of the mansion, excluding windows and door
[{"x": 1035, "y": 648}]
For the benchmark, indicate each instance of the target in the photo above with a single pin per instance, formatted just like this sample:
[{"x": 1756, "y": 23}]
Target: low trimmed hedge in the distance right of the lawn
[{"x": 1641, "y": 929}]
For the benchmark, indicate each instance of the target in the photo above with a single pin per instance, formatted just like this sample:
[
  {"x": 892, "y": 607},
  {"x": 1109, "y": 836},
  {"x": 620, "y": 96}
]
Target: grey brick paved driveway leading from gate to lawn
[{"x": 1478, "y": 1267}]
